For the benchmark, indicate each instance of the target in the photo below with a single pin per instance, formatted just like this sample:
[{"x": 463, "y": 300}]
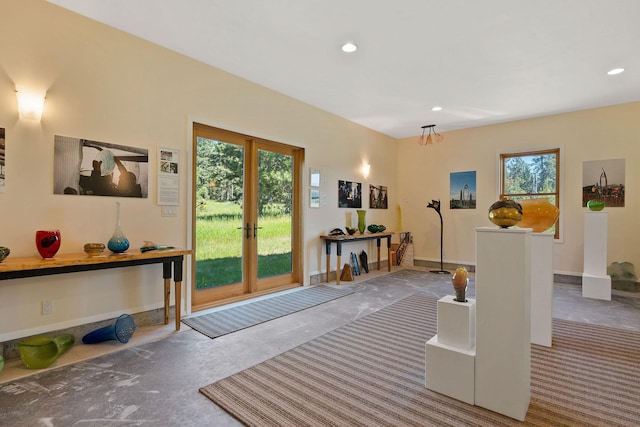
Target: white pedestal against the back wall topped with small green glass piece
[{"x": 595, "y": 281}]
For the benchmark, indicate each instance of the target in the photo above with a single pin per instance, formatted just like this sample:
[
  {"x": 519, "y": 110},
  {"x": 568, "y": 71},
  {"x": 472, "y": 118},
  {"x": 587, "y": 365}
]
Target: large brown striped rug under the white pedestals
[{"x": 371, "y": 373}]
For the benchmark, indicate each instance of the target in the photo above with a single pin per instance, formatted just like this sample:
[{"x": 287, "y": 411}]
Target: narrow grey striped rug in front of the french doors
[{"x": 233, "y": 319}]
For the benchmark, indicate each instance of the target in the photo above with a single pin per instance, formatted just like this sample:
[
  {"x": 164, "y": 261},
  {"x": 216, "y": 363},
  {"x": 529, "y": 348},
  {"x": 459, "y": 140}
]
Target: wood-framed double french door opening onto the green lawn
[{"x": 246, "y": 222}]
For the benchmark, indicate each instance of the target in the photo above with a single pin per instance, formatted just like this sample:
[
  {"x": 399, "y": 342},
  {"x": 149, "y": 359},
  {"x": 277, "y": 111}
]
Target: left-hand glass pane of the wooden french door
[{"x": 219, "y": 219}]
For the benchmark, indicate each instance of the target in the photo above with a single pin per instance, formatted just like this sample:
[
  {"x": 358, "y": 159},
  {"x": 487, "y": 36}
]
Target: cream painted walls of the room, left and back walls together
[{"x": 105, "y": 85}]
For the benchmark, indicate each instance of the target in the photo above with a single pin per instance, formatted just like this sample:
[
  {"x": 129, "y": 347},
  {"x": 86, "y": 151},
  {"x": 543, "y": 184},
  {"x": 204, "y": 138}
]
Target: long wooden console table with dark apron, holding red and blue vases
[{"x": 17, "y": 268}]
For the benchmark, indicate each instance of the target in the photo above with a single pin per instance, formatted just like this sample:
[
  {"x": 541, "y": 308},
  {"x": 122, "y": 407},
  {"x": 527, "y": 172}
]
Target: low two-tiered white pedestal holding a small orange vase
[{"x": 450, "y": 355}]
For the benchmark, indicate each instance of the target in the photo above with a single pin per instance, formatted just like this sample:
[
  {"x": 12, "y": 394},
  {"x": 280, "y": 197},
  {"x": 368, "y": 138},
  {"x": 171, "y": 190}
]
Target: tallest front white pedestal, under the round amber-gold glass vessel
[{"x": 503, "y": 327}]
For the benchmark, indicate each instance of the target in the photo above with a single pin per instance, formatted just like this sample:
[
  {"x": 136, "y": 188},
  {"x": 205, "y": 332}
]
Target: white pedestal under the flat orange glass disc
[{"x": 541, "y": 288}]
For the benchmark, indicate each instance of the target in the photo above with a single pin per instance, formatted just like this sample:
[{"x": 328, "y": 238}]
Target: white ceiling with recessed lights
[{"x": 484, "y": 62}]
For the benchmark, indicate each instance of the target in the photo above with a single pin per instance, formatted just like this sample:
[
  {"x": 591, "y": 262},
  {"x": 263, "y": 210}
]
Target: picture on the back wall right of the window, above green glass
[{"x": 604, "y": 180}]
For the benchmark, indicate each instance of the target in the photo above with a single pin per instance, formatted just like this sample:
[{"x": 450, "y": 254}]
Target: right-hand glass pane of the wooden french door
[{"x": 275, "y": 206}]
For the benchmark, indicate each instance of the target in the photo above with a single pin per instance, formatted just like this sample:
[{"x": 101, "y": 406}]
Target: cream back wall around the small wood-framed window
[{"x": 604, "y": 133}]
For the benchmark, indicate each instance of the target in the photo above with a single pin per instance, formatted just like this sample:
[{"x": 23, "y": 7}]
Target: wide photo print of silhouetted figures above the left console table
[{"x": 91, "y": 168}]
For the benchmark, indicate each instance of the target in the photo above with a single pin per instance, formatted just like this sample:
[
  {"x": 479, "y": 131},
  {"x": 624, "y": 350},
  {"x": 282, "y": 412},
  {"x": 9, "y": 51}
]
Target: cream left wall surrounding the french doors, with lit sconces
[{"x": 105, "y": 85}]
